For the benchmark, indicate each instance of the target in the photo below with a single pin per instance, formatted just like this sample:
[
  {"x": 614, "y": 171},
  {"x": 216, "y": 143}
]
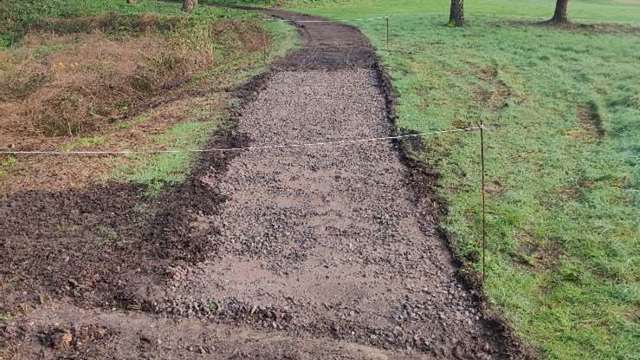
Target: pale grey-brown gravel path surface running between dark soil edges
[{"x": 328, "y": 241}]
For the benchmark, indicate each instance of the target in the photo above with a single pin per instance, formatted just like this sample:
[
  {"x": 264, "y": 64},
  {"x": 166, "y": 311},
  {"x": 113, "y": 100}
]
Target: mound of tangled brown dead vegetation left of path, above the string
[{"x": 93, "y": 80}]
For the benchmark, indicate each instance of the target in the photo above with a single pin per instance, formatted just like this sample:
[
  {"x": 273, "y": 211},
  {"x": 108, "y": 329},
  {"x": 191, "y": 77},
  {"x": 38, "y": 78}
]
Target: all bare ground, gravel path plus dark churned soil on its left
[{"x": 319, "y": 252}]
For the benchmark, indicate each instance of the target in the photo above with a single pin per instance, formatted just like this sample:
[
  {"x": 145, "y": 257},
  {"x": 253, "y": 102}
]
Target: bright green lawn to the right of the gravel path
[{"x": 564, "y": 237}]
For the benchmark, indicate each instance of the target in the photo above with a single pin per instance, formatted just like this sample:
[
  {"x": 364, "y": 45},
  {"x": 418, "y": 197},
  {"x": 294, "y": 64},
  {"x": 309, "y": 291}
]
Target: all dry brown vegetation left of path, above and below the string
[{"x": 87, "y": 77}]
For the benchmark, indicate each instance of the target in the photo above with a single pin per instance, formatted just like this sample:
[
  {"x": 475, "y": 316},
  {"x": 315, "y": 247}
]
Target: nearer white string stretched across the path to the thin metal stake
[{"x": 247, "y": 148}]
